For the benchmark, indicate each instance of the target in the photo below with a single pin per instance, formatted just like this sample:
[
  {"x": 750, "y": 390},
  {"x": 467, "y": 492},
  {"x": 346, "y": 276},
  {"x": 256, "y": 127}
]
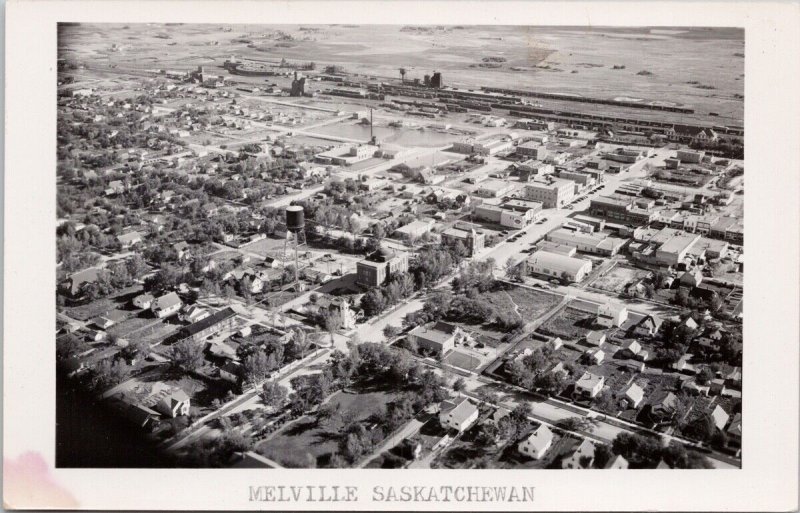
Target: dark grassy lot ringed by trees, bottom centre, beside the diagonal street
[{"x": 307, "y": 443}]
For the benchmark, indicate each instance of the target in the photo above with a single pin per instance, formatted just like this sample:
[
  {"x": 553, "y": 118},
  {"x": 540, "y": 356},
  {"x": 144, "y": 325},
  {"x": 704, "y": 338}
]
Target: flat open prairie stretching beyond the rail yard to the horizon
[{"x": 701, "y": 67}]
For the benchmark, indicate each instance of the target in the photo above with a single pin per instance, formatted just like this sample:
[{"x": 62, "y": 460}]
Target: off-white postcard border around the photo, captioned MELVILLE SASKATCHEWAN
[{"x": 768, "y": 480}]
